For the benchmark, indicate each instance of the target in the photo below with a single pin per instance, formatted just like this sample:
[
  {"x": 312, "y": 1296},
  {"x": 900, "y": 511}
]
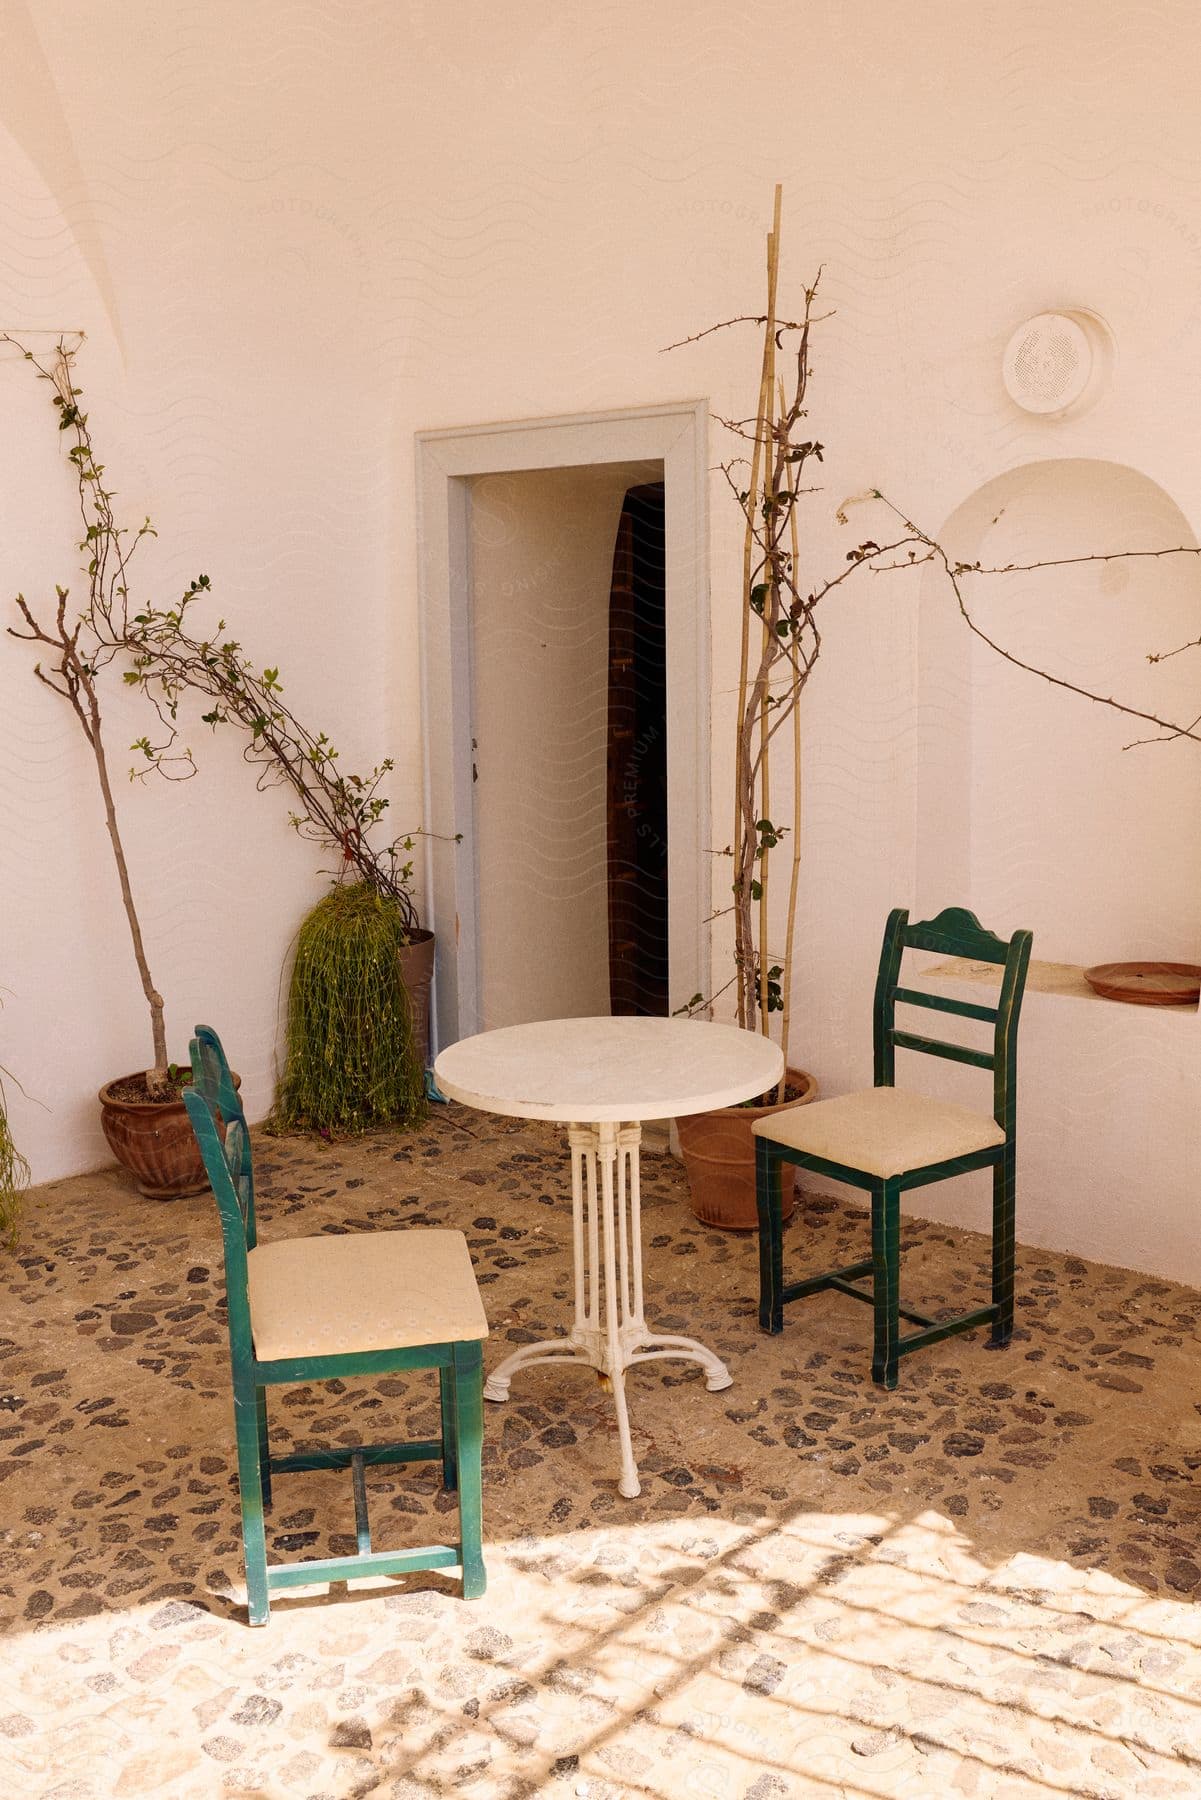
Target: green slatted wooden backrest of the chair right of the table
[{"x": 953, "y": 933}]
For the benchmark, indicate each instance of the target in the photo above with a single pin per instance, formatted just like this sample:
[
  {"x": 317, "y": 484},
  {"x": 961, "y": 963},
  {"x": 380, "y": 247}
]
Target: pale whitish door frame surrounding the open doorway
[{"x": 447, "y": 462}]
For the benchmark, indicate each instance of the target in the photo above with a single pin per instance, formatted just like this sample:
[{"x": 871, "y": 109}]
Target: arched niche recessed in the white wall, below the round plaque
[{"x": 1029, "y": 807}]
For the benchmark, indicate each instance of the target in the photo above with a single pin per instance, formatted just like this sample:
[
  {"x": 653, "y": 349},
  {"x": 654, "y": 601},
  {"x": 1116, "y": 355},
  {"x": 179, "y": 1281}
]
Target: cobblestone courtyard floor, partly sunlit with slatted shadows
[{"x": 986, "y": 1583}]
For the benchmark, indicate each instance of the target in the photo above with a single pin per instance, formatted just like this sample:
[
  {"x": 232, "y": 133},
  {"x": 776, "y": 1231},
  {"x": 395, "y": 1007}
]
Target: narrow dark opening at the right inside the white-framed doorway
[{"x": 638, "y": 762}]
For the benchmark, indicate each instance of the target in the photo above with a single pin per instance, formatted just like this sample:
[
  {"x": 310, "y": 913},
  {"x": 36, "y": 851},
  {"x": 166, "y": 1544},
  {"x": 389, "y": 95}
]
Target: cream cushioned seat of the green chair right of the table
[{"x": 883, "y": 1131}]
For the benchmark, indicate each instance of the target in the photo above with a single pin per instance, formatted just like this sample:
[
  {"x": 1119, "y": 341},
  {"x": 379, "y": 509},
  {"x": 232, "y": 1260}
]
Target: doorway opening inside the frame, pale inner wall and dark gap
[{"x": 555, "y": 571}]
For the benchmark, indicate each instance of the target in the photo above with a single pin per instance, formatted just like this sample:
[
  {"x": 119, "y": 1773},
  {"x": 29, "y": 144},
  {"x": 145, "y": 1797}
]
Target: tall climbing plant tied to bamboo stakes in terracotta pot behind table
[{"x": 781, "y": 645}]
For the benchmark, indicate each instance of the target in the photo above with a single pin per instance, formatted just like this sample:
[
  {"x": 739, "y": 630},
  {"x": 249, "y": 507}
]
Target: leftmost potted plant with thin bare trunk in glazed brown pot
[{"x": 141, "y": 1113}]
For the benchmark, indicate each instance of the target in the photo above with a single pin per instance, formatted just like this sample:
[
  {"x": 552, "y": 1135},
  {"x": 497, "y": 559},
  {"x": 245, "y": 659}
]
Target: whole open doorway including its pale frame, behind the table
[{"x": 532, "y": 807}]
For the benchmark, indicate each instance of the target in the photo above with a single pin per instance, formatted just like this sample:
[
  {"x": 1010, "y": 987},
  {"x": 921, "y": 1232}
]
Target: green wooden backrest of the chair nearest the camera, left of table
[{"x": 212, "y": 1099}]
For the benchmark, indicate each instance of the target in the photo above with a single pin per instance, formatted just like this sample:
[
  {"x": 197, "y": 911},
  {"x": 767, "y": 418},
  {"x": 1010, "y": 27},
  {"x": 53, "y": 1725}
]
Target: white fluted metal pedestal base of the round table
[{"x": 610, "y": 1329}]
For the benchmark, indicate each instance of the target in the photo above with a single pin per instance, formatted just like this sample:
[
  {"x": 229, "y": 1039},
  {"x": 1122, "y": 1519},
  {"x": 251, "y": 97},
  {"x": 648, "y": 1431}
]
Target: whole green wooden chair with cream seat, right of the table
[{"x": 889, "y": 1140}]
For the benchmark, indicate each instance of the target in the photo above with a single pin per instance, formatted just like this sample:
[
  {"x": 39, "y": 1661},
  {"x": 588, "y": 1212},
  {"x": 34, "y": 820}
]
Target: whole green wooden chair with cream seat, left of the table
[{"x": 343, "y": 1306}]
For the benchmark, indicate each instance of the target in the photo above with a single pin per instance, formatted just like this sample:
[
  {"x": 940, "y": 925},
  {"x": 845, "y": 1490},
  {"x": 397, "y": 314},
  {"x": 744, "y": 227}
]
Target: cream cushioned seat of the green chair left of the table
[{"x": 363, "y": 1291}]
